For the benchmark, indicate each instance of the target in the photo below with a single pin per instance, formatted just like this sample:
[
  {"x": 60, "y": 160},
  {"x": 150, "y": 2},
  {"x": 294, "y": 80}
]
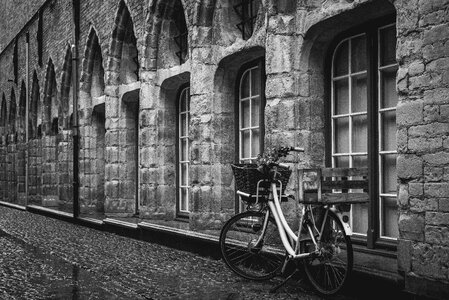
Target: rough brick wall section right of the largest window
[{"x": 423, "y": 128}]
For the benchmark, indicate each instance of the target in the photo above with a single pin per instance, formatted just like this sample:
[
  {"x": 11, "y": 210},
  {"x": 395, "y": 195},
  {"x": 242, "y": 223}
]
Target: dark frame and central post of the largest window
[{"x": 373, "y": 238}]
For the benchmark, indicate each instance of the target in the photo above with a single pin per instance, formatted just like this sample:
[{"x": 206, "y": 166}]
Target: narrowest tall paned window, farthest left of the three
[{"x": 183, "y": 150}]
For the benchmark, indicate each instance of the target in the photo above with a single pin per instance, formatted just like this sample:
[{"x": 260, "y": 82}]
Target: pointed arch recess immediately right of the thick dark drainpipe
[{"x": 92, "y": 77}]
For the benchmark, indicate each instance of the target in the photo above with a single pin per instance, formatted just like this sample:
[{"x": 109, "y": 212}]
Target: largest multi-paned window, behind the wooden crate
[{"x": 363, "y": 124}]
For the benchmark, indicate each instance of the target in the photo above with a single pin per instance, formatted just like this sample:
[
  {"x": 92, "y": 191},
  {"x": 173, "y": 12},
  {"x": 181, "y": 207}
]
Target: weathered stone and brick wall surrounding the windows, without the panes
[{"x": 129, "y": 80}]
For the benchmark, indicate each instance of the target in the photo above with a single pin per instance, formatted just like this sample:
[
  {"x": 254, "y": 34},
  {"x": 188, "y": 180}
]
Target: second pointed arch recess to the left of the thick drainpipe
[{"x": 50, "y": 103}]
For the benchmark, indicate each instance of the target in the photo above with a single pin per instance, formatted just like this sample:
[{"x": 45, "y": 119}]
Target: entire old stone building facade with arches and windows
[{"x": 170, "y": 93}]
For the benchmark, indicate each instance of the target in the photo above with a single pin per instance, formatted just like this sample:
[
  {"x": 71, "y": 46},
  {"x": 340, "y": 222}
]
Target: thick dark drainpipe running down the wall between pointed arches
[{"x": 75, "y": 129}]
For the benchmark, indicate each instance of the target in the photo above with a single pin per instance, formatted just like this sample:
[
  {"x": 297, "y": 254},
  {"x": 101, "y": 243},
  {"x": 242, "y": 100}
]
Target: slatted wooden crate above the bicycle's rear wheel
[{"x": 333, "y": 185}]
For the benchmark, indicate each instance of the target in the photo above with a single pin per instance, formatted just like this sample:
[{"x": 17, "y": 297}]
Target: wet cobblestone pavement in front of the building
[{"x": 44, "y": 258}]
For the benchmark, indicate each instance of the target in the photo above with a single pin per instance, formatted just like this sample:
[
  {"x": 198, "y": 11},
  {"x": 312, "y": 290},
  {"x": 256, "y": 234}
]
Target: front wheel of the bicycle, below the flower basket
[{"x": 247, "y": 250}]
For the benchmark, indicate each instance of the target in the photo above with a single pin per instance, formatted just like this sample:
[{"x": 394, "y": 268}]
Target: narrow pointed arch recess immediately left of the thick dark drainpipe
[{"x": 66, "y": 108}]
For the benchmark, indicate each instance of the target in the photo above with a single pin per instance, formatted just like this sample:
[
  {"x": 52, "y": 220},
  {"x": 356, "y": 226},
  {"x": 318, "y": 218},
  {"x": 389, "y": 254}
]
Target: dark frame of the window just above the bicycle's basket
[{"x": 260, "y": 63}]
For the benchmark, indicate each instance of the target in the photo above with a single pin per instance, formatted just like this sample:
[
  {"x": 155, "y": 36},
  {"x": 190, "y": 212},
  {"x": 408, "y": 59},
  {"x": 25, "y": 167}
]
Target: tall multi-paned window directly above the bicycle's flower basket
[{"x": 251, "y": 106}]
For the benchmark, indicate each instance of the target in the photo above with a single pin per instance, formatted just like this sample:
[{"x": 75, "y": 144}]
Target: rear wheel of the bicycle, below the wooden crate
[{"x": 329, "y": 270}]
